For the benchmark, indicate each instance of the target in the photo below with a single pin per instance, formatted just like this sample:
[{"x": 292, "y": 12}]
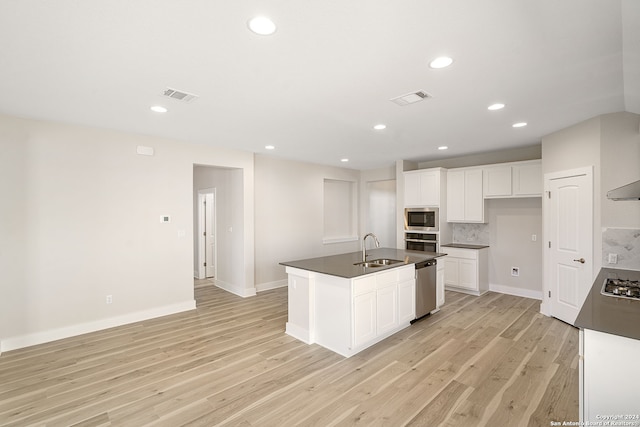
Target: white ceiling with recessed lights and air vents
[{"x": 316, "y": 87}]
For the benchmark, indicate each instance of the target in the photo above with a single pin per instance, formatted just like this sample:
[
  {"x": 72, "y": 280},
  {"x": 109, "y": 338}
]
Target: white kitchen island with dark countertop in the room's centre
[{"x": 346, "y": 307}]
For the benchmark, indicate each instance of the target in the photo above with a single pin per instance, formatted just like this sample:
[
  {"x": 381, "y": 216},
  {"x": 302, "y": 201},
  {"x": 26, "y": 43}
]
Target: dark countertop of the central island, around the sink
[{"x": 343, "y": 265}]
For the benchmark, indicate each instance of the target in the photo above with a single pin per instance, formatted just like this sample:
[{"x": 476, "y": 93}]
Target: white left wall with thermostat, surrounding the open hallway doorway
[{"x": 80, "y": 220}]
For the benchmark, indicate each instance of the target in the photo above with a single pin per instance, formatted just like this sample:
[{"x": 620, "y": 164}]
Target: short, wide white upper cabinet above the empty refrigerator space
[{"x": 518, "y": 179}]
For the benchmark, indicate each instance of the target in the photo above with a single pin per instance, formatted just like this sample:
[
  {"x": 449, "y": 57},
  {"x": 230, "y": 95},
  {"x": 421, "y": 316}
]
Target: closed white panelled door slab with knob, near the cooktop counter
[{"x": 570, "y": 243}]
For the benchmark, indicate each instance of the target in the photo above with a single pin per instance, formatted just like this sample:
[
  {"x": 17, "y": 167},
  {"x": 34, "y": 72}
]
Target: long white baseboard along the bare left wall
[{"x": 28, "y": 340}]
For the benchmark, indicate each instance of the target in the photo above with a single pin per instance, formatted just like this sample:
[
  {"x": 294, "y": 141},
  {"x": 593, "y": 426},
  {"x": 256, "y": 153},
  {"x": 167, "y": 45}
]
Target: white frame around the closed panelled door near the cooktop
[{"x": 547, "y": 270}]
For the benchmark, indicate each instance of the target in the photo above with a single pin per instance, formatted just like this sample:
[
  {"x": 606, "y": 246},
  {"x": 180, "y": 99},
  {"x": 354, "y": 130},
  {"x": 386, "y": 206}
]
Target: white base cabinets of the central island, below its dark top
[{"x": 349, "y": 315}]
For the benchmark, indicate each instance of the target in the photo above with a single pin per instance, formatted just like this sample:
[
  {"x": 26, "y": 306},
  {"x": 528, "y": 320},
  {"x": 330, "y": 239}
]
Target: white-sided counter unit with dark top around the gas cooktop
[{"x": 609, "y": 350}]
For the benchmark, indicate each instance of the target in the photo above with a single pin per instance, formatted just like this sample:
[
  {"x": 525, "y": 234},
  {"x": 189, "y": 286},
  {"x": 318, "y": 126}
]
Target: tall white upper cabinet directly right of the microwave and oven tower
[{"x": 465, "y": 202}]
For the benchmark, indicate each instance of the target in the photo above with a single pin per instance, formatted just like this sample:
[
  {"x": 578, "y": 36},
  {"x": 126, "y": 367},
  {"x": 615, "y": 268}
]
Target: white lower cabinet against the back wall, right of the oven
[{"x": 466, "y": 270}]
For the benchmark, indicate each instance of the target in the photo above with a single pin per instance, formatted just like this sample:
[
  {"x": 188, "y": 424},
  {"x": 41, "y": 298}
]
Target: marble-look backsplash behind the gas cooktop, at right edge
[{"x": 625, "y": 243}]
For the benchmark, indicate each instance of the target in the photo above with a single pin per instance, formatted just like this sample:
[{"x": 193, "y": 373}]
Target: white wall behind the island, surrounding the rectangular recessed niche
[{"x": 288, "y": 198}]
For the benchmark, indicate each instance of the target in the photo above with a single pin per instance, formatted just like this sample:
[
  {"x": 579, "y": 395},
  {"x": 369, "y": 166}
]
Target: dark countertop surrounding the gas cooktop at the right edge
[{"x": 617, "y": 316}]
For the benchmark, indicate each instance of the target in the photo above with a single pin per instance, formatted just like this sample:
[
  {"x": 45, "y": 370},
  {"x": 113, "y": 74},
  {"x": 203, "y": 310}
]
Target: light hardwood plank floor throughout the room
[{"x": 491, "y": 360}]
